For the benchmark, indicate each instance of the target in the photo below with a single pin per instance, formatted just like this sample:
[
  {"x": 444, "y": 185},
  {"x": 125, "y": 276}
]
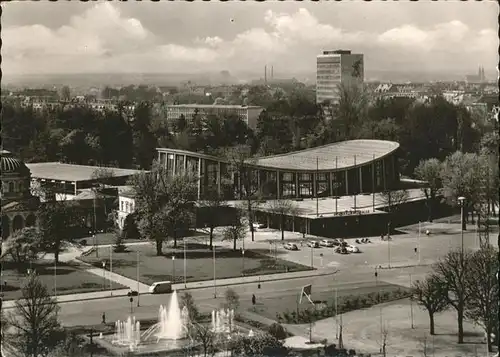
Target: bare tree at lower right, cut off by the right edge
[{"x": 482, "y": 290}]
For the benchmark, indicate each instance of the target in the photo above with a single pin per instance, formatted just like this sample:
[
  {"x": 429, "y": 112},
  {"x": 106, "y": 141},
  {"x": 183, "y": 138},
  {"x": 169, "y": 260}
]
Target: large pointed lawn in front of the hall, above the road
[{"x": 199, "y": 263}]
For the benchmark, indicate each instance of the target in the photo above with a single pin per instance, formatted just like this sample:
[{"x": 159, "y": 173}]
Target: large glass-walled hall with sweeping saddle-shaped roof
[{"x": 340, "y": 169}]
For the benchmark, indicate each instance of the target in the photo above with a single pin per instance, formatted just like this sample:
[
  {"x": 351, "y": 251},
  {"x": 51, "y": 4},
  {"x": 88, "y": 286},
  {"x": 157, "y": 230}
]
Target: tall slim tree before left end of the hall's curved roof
[{"x": 240, "y": 165}]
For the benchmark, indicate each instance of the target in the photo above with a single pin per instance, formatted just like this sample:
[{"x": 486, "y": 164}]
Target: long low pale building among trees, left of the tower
[{"x": 248, "y": 114}]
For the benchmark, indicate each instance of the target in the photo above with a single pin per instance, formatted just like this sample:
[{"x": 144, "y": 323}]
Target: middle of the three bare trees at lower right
[{"x": 451, "y": 272}]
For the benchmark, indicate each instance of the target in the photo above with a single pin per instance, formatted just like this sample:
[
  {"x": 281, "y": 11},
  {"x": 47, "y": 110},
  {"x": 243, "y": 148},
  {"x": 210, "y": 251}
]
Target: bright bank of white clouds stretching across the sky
[{"x": 103, "y": 39}]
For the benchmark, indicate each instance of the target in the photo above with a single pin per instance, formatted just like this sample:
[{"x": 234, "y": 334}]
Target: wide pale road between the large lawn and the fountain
[{"x": 90, "y": 311}]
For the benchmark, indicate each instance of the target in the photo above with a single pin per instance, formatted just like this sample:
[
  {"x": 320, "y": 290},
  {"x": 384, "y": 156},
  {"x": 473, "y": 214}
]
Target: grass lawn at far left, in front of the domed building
[{"x": 71, "y": 279}]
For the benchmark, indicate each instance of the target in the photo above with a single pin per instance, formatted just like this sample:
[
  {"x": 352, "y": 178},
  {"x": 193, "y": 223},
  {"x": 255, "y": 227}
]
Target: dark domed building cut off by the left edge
[{"x": 18, "y": 204}]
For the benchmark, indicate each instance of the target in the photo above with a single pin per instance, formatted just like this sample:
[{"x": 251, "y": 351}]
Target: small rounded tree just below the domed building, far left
[{"x": 22, "y": 246}]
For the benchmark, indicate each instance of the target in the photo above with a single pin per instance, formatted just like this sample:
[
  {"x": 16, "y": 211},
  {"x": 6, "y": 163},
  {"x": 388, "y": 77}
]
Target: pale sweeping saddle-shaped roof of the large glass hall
[{"x": 341, "y": 155}]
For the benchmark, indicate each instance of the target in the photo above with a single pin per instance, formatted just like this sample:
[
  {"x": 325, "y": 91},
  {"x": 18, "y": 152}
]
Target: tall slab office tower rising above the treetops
[{"x": 334, "y": 68}]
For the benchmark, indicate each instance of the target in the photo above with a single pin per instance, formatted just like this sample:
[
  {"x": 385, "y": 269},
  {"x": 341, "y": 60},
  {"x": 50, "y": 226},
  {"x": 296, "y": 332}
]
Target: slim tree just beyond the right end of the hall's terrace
[{"x": 430, "y": 172}]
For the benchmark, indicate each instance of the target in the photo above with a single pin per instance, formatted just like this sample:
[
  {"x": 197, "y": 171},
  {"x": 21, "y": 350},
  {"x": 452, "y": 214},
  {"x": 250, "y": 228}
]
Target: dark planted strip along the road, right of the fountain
[{"x": 288, "y": 303}]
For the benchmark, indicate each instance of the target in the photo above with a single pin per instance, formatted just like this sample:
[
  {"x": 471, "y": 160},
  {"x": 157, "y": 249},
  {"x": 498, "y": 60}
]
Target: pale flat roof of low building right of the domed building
[{"x": 70, "y": 172}]
